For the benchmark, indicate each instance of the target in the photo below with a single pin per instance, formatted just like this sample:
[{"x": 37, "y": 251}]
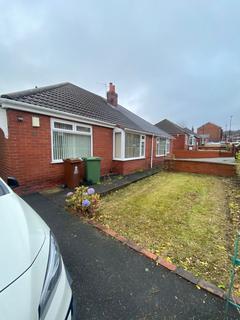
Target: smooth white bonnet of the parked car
[{"x": 22, "y": 234}]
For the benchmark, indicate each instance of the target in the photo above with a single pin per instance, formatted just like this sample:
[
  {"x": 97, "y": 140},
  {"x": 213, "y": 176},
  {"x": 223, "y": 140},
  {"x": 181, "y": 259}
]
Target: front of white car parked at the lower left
[{"x": 33, "y": 281}]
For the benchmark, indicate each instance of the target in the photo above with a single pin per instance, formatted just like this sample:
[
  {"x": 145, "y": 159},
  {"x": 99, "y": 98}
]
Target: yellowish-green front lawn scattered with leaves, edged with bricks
[{"x": 184, "y": 218}]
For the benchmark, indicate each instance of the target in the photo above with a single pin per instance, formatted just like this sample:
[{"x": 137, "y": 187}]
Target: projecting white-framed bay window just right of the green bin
[{"x": 128, "y": 145}]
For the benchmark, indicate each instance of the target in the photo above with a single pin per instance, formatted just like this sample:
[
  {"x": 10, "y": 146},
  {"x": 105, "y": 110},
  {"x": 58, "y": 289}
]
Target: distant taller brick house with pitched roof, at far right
[{"x": 210, "y": 132}]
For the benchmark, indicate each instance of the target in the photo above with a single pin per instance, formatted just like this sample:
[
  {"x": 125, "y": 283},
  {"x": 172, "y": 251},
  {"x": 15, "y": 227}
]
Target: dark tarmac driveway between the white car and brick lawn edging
[{"x": 111, "y": 281}]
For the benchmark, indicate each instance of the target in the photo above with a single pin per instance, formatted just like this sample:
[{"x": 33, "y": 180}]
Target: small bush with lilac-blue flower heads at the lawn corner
[{"x": 84, "y": 201}]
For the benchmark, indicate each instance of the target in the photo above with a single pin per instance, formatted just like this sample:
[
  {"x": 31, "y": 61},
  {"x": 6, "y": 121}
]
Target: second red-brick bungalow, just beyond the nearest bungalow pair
[{"x": 185, "y": 139}]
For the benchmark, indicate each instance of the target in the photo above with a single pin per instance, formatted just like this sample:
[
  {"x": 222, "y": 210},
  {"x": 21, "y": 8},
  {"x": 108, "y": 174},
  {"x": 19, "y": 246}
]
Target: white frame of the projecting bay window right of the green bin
[{"x": 123, "y": 140}]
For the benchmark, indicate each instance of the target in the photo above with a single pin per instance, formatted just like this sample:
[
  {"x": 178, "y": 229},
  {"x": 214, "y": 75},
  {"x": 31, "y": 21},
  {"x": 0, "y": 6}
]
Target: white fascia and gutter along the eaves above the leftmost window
[{"x": 18, "y": 105}]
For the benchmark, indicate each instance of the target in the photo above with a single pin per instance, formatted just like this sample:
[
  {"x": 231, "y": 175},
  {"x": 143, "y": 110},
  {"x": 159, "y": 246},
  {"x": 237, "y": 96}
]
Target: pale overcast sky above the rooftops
[{"x": 171, "y": 59}]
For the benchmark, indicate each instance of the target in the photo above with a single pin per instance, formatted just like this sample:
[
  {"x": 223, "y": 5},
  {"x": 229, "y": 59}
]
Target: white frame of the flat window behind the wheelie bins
[{"x": 74, "y": 131}]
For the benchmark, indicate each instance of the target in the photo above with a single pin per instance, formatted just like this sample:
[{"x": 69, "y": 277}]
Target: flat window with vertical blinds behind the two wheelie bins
[{"x": 70, "y": 140}]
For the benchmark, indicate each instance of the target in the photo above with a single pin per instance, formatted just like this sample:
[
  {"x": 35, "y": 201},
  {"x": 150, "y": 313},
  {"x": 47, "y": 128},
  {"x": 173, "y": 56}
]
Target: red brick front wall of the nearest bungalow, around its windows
[{"x": 26, "y": 154}]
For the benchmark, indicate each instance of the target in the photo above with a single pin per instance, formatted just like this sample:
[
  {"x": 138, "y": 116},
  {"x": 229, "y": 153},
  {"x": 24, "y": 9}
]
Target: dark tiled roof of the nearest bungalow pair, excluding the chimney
[{"x": 67, "y": 97}]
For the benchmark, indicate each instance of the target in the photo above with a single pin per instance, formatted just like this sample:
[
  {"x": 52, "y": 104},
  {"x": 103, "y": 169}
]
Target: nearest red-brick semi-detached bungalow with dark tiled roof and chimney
[{"x": 41, "y": 127}]
